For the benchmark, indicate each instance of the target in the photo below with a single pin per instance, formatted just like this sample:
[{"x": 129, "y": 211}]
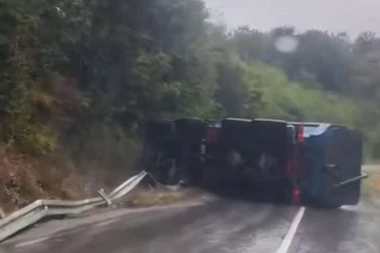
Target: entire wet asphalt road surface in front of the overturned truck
[{"x": 218, "y": 226}]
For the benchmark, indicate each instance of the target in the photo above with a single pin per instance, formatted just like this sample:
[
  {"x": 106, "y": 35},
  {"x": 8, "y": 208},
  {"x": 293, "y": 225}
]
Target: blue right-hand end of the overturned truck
[{"x": 331, "y": 158}]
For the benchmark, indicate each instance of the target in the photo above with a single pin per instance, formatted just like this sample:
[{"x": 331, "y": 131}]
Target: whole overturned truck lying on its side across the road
[{"x": 292, "y": 162}]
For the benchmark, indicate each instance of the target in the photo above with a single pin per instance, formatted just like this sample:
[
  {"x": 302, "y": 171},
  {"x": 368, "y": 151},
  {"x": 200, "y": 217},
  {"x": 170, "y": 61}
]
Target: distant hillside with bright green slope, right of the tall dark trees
[{"x": 326, "y": 78}]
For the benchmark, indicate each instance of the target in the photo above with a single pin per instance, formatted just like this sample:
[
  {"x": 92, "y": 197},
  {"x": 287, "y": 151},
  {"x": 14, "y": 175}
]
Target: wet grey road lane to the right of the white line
[{"x": 347, "y": 230}]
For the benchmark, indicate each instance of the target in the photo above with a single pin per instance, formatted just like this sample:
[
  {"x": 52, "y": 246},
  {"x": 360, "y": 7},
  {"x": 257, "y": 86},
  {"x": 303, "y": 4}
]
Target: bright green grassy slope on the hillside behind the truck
[{"x": 281, "y": 98}]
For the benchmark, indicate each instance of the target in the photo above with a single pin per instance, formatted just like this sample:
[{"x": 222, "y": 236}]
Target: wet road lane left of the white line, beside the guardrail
[{"x": 224, "y": 226}]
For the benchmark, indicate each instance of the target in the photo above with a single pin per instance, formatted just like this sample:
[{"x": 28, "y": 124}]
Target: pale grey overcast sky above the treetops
[{"x": 351, "y": 16}]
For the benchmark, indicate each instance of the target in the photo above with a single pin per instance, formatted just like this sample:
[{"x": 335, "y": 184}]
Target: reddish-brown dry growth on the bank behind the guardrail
[{"x": 25, "y": 179}]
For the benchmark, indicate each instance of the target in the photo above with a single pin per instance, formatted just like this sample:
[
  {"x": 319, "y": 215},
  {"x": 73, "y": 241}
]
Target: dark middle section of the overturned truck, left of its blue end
[{"x": 253, "y": 156}]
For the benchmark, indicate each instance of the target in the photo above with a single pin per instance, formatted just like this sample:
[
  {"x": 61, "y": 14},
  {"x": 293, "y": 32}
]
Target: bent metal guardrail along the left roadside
[{"x": 40, "y": 209}]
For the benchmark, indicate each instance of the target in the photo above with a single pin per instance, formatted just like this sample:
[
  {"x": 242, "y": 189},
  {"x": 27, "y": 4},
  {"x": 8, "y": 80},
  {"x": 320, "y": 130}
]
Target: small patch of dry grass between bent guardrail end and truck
[{"x": 144, "y": 197}]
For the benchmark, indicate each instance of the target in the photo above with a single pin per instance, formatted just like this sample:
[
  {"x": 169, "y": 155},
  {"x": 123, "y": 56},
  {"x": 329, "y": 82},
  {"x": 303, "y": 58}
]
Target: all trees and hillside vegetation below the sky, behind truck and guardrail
[{"x": 77, "y": 76}]
